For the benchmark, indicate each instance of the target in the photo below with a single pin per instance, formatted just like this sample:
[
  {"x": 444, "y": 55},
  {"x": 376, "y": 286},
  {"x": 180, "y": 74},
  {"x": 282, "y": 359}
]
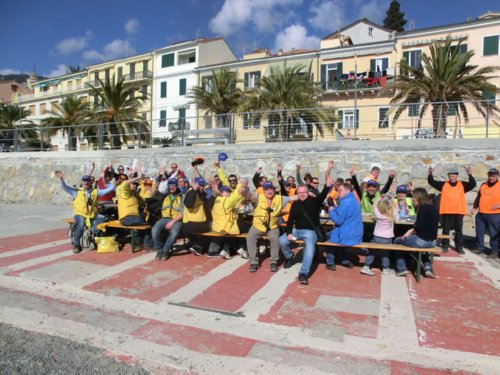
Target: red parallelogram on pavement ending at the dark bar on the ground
[{"x": 234, "y": 290}]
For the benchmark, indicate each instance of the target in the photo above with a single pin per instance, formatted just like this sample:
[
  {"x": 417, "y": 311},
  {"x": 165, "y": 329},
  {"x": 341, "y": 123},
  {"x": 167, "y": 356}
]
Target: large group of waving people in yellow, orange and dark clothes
[{"x": 285, "y": 212}]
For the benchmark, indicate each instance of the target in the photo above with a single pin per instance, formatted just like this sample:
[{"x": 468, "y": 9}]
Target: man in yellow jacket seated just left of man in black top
[{"x": 265, "y": 222}]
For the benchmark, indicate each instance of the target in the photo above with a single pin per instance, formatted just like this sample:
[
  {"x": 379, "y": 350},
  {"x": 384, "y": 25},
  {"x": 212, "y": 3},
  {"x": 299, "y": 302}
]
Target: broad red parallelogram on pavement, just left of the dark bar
[{"x": 155, "y": 280}]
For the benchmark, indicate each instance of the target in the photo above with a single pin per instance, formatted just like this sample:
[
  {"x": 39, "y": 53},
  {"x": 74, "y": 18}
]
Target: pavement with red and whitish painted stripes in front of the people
[{"x": 204, "y": 315}]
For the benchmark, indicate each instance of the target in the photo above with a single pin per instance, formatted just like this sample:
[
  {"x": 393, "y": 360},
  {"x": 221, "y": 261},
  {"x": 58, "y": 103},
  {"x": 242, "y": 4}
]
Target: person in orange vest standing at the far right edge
[{"x": 487, "y": 203}]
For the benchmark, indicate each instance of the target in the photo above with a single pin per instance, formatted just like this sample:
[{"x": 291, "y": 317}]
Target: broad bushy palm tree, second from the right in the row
[{"x": 290, "y": 99}]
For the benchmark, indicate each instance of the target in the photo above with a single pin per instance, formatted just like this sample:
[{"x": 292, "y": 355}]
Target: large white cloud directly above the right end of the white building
[{"x": 264, "y": 14}]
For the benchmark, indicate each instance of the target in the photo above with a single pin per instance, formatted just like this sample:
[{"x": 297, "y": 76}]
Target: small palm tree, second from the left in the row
[{"x": 68, "y": 118}]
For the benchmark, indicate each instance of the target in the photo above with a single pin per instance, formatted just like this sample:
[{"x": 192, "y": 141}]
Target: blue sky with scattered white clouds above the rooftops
[{"x": 53, "y": 34}]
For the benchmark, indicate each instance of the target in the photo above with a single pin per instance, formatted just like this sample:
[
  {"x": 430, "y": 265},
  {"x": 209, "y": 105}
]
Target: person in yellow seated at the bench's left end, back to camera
[{"x": 131, "y": 205}]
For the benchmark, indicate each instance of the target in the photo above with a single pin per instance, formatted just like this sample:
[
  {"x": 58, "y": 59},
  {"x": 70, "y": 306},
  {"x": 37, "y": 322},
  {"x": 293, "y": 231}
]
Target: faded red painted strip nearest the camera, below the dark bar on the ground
[{"x": 196, "y": 339}]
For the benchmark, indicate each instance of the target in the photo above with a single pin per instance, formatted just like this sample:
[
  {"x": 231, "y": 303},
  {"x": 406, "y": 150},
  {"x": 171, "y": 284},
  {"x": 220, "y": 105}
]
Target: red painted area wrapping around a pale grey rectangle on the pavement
[{"x": 297, "y": 307}]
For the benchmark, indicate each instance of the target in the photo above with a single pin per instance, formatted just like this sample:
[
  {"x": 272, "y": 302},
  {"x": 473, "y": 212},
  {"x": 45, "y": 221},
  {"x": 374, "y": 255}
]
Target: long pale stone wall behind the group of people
[{"x": 29, "y": 177}]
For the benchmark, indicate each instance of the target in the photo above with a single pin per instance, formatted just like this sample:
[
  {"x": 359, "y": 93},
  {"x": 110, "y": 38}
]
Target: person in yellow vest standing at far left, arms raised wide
[{"x": 84, "y": 205}]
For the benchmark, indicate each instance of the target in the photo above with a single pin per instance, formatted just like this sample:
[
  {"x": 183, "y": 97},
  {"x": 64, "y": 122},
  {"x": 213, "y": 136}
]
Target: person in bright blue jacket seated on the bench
[{"x": 348, "y": 225}]
